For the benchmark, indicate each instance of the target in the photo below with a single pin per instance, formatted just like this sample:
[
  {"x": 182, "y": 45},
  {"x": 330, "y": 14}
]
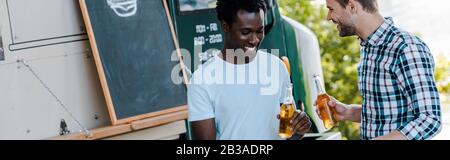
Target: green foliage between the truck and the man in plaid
[{"x": 340, "y": 56}]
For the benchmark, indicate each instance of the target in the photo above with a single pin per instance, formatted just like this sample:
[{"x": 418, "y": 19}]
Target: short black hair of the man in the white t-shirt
[{"x": 227, "y": 9}]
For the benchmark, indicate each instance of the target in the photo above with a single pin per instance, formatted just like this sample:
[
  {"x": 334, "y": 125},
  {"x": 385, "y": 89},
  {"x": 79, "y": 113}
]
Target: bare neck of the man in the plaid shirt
[{"x": 368, "y": 24}]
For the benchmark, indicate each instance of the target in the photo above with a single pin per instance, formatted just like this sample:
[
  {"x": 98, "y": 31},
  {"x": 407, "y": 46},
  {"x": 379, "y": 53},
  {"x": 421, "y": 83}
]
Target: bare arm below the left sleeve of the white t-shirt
[{"x": 204, "y": 129}]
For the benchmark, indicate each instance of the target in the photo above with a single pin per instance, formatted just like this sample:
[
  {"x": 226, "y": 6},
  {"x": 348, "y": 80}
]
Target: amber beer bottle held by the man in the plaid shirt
[{"x": 326, "y": 113}]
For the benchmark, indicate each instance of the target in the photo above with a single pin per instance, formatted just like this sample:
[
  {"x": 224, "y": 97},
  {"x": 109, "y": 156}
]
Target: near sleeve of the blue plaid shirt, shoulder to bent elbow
[{"x": 415, "y": 74}]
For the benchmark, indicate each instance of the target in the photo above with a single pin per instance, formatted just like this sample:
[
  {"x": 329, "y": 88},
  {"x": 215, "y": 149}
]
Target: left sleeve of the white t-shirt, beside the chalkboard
[{"x": 199, "y": 102}]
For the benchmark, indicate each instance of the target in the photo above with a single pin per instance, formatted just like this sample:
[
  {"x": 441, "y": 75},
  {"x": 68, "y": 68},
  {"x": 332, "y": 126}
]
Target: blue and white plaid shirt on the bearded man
[{"x": 396, "y": 81}]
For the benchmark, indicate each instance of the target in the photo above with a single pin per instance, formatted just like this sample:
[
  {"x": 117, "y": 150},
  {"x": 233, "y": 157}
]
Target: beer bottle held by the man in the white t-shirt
[{"x": 286, "y": 114}]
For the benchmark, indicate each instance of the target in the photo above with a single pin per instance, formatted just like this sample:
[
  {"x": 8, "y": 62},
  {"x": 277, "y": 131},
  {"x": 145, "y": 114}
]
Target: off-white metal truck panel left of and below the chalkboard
[{"x": 62, "y": 61}]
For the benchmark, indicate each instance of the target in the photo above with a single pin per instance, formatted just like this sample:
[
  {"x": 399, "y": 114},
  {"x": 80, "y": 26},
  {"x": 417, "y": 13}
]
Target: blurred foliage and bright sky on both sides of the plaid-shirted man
[{"x": 427, "y": 19}]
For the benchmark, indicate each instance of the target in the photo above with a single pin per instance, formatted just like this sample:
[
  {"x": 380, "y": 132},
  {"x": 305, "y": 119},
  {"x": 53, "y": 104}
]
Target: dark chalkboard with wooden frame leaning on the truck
[{"x": 133, "y": 42}]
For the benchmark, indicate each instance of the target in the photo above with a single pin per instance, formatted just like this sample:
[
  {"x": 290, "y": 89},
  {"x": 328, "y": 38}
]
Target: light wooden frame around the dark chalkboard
[{"x": 104, "y": 83}]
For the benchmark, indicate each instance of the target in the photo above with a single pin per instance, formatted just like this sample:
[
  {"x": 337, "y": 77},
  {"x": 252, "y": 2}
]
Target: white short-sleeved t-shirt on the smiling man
[{"x": 243, "y": 99}]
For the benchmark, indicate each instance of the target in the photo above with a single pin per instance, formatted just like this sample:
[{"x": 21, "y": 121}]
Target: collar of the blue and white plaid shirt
[{"x": 377, "y": 37}]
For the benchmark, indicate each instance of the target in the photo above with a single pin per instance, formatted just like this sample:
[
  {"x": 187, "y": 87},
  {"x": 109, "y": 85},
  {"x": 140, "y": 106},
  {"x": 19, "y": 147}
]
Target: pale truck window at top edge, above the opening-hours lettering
[{"x": 195, "y": 5}]
